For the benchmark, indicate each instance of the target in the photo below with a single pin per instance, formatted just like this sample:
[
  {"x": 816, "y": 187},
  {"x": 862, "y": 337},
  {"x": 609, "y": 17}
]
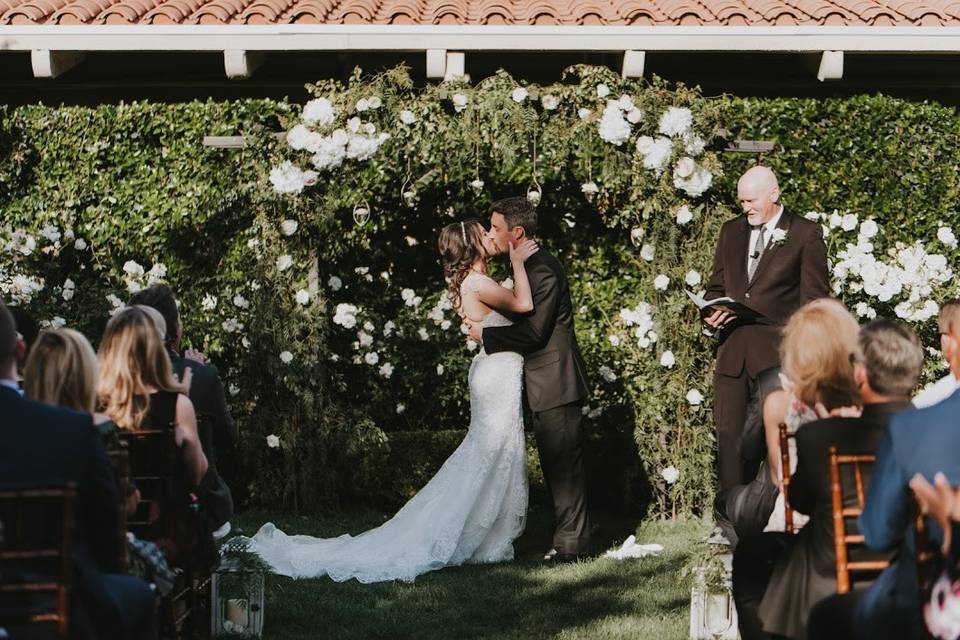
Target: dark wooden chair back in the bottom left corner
[{"x": 38, "y": 530}]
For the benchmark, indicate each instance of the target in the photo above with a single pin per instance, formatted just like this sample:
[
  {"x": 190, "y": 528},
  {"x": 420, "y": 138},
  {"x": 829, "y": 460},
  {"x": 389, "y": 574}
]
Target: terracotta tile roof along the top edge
[{"x": 493, "y": 12}]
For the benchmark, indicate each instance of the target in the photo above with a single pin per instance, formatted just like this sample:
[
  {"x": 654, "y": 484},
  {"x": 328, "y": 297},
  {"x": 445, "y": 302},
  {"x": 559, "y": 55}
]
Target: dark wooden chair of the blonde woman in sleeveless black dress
[{"x": 154, "y": 464}]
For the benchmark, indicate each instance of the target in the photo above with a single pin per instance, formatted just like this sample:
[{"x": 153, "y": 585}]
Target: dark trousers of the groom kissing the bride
[{"x": 558, "y": 439}]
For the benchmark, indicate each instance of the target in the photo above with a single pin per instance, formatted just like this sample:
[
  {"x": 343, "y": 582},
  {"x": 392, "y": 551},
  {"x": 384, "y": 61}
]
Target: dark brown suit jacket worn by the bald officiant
[{"x": 788, "y": 276}]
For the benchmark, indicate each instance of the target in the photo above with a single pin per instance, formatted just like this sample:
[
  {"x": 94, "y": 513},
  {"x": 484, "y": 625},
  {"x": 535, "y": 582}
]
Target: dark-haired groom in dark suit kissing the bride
[{"x": 554, "y": 375}]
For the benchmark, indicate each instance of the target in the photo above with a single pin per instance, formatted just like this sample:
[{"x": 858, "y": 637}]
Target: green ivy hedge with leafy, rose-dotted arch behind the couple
[{"x": 303, "y": 309}]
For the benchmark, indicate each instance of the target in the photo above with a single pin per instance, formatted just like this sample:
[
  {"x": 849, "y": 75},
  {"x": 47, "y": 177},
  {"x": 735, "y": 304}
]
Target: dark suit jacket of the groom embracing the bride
[{"x": 554, "y": 372}]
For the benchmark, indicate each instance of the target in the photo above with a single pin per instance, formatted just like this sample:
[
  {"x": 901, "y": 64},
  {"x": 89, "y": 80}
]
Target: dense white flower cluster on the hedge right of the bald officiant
[{"x": 906, "y": 277}]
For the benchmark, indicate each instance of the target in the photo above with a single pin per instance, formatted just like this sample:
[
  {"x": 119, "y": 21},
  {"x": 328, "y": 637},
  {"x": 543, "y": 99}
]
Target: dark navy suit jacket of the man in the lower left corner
[{"x": 40, "y": 444}]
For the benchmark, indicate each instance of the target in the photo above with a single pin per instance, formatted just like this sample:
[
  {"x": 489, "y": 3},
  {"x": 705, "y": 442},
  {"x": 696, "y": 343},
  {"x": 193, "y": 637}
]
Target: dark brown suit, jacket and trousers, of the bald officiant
[{"x": 789, "y": 275}]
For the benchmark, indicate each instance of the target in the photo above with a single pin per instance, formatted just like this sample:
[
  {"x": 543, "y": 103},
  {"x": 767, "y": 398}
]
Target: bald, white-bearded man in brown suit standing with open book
[{"x": 772, "y": 261}]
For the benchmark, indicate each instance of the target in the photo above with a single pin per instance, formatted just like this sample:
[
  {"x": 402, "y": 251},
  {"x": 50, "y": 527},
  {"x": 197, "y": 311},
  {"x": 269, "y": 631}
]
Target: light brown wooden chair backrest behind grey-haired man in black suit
[{"x": 844, "y": 541}]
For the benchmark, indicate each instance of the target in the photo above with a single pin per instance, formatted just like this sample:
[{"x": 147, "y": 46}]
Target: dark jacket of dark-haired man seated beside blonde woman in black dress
[{"x": 217, "y": 430}]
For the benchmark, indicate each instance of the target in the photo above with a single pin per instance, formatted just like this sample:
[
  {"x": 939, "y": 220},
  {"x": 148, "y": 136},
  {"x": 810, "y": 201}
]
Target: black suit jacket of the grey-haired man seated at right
[{"x": 806, "y": 573}]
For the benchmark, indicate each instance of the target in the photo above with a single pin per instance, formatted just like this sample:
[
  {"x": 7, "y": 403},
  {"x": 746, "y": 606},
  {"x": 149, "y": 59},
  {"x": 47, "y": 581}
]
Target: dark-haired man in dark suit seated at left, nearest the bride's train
[{"x": 209, "y": 401}]
